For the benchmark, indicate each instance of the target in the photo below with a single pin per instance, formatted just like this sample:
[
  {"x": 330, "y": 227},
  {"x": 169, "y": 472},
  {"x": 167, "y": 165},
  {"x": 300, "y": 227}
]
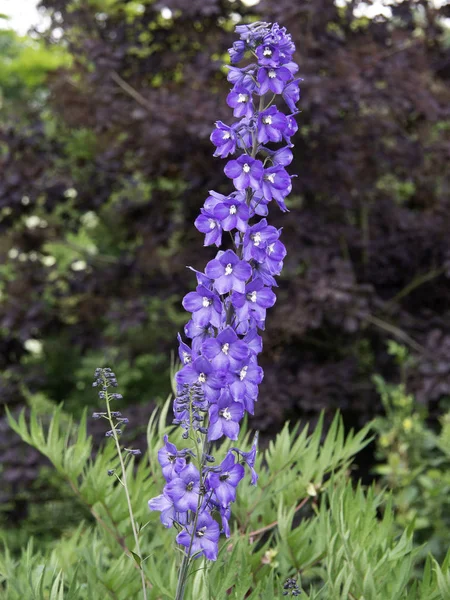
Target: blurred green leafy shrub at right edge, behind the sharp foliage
[{"x": 414, "y": 462}]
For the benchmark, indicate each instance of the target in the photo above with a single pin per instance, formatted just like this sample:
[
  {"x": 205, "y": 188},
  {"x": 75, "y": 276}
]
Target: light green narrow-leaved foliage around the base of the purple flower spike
[{"x": 305, "y": 520}]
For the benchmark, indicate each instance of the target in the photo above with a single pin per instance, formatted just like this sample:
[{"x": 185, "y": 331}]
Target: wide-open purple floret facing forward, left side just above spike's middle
[{"x": 229, "y": 272}]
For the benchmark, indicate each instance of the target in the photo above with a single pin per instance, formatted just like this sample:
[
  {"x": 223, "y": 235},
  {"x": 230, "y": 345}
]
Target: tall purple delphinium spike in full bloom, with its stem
[{"x": 219, "y": 378}]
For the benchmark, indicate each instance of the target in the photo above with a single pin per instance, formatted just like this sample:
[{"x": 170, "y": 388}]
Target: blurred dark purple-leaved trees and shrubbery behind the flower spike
[{"x": 105, "y": 160}]
